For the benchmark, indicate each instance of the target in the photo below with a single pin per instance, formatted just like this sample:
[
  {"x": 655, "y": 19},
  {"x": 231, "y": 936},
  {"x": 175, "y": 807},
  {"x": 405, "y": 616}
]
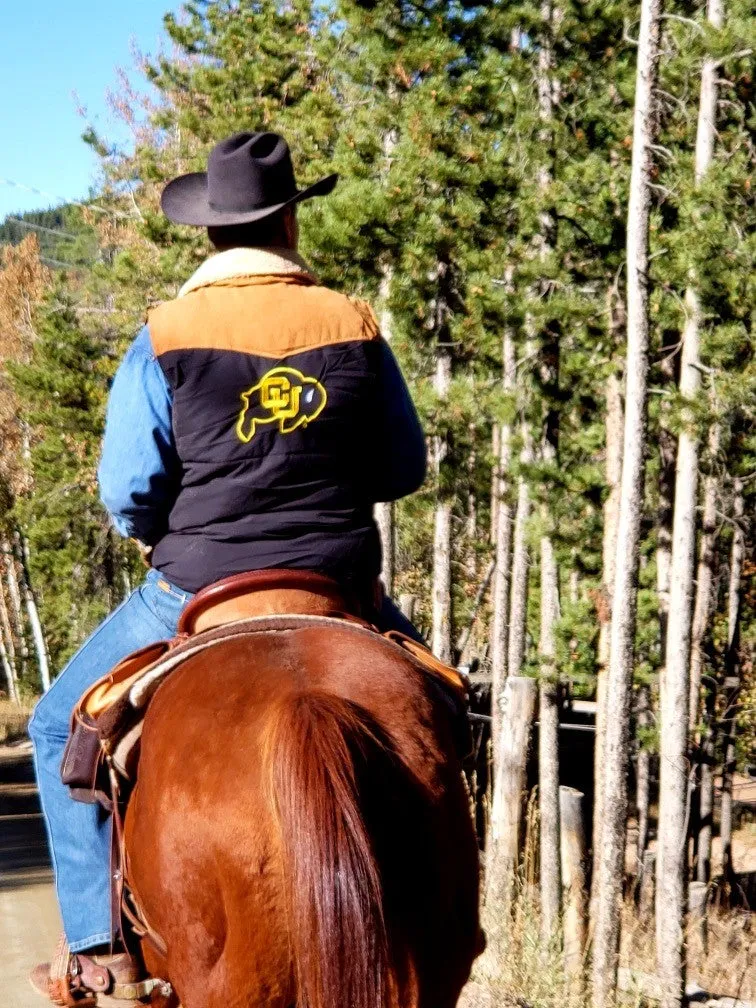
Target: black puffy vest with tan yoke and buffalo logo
[{"x": 274, "y": 380}]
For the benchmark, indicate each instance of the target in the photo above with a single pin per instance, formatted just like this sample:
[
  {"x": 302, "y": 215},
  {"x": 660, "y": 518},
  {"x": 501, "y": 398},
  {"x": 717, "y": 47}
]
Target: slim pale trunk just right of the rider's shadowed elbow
[{"x": 442, "y": 596}]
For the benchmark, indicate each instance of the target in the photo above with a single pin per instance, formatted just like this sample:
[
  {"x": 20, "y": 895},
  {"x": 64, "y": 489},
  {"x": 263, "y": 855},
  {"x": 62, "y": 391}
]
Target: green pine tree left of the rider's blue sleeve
[{"x": 71, "y": 552}]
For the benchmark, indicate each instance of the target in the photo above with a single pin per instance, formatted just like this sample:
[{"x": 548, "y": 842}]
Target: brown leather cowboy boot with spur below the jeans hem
[{"x": 77, "y": 981}]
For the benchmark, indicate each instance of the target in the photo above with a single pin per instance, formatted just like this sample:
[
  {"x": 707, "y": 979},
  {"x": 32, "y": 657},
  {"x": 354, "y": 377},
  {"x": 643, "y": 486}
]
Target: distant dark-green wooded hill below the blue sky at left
[{"x": 65, "y": 240}]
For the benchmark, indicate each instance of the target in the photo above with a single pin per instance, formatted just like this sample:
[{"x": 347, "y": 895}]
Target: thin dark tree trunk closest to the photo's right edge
[{"x": 732, "y": 684}]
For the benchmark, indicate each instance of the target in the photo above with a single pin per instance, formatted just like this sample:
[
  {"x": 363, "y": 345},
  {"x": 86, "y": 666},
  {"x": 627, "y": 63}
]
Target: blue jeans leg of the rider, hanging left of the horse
[{"x": 79, "y": 835}]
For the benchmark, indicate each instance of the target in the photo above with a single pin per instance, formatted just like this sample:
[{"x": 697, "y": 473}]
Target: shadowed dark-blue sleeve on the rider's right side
[{"x": 400, "y": 459}]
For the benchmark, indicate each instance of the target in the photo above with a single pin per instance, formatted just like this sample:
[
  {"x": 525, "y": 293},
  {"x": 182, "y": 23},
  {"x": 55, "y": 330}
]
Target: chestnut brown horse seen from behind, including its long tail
[{"x": 301, "y": 835}]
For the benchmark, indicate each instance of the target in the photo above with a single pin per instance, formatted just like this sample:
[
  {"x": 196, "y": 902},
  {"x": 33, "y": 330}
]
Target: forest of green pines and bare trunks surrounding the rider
[{"x": 552, "y": 207}]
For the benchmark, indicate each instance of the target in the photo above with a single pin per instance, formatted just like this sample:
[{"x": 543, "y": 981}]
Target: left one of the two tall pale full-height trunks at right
[{"x": 611, "y": 860}]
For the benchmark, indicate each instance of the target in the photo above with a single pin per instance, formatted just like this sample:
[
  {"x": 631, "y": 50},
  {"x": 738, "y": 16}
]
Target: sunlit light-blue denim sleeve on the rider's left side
[{"x": 140, "y": 469}]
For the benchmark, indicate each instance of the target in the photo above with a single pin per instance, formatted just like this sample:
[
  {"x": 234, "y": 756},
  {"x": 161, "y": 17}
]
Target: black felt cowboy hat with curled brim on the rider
[{"x": 249, "y": 177}]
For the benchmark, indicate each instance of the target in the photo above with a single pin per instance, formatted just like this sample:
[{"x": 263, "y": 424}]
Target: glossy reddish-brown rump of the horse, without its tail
[{"x": 207, "y": 843}]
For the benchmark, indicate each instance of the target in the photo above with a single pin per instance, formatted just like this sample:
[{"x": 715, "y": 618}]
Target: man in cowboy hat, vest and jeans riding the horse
[{"x": 253, "y": 425}]
